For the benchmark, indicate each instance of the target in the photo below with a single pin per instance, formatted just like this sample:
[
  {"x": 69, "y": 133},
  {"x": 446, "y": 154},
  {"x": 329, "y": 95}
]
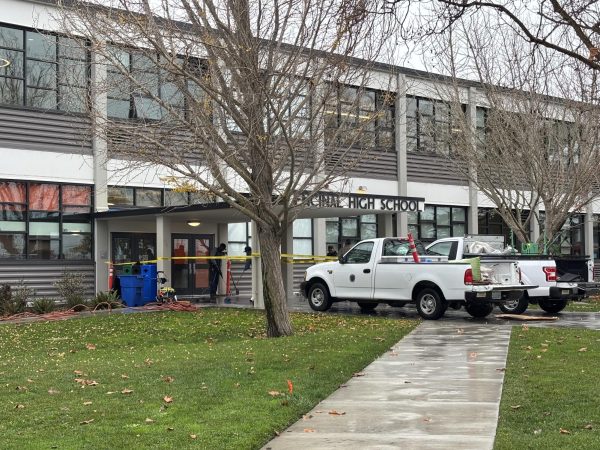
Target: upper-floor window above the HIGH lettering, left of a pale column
[{"x": 360, "y": 117}]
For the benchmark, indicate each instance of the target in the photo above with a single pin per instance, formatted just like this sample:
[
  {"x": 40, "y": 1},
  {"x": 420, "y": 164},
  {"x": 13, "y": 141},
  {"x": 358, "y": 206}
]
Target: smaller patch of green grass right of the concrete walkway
[{"x": 550, "y": 396}]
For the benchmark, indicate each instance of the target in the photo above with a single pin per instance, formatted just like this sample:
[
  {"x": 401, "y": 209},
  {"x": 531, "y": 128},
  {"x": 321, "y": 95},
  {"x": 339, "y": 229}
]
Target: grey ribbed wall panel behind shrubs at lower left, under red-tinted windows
[{"x": 41, "y": 275}]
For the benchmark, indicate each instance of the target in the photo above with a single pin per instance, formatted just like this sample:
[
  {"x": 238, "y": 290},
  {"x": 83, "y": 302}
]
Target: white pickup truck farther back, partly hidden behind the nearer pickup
[{"x": 552, "y": 293}]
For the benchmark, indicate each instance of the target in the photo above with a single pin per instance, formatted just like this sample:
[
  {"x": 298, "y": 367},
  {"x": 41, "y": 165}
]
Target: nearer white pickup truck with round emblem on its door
[{"x": 382, "y": 270}]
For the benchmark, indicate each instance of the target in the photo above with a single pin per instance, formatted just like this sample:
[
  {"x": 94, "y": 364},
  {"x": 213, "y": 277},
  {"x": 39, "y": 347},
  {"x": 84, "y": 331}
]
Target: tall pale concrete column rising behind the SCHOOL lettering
[{"x": 400, "y": 141}]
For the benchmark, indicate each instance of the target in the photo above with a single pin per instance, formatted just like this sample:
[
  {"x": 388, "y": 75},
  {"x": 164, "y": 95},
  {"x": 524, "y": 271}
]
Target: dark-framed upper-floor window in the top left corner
[{"x": 45, "y": 71}]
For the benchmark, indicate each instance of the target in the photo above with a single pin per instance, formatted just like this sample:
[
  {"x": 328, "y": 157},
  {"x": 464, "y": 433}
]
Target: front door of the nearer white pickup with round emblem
[{"x": 354, "y": 278}]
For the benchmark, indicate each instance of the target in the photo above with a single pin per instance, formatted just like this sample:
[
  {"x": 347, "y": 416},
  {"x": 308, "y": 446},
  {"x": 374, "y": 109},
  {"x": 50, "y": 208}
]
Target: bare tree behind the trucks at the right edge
[{"x": 534, "y": 141}]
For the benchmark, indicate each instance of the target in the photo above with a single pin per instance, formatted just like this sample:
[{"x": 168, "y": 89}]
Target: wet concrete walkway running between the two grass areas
[{"x": 438, "y": 388}]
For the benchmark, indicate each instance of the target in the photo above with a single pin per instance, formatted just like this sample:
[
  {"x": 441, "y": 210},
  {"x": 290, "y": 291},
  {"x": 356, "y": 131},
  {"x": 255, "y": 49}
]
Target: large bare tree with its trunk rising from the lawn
[{"x": 244, "y": 100}]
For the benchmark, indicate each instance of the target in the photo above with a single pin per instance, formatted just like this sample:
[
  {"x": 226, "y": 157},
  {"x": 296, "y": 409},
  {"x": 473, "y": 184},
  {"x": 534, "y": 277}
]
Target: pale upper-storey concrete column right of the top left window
[{"x": 99, "y": 142}]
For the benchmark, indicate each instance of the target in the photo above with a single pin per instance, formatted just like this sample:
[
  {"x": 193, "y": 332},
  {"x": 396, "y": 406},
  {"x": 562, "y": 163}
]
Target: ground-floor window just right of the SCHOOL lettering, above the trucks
[{"x": 437, "y": 222}]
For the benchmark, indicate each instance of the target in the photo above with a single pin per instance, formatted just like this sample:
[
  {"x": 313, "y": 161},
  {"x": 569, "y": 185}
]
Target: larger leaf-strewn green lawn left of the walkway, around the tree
[{"x": 175, "y": 380}]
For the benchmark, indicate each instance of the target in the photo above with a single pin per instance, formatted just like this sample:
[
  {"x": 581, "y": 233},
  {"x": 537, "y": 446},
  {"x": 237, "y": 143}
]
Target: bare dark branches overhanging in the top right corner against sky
[{"x": 570, "y": 27}]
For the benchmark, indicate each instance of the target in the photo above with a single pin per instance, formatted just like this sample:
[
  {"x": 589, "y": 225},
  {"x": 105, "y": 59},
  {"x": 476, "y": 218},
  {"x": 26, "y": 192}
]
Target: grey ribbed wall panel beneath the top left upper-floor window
[{"x": 46, "y": 131}]
